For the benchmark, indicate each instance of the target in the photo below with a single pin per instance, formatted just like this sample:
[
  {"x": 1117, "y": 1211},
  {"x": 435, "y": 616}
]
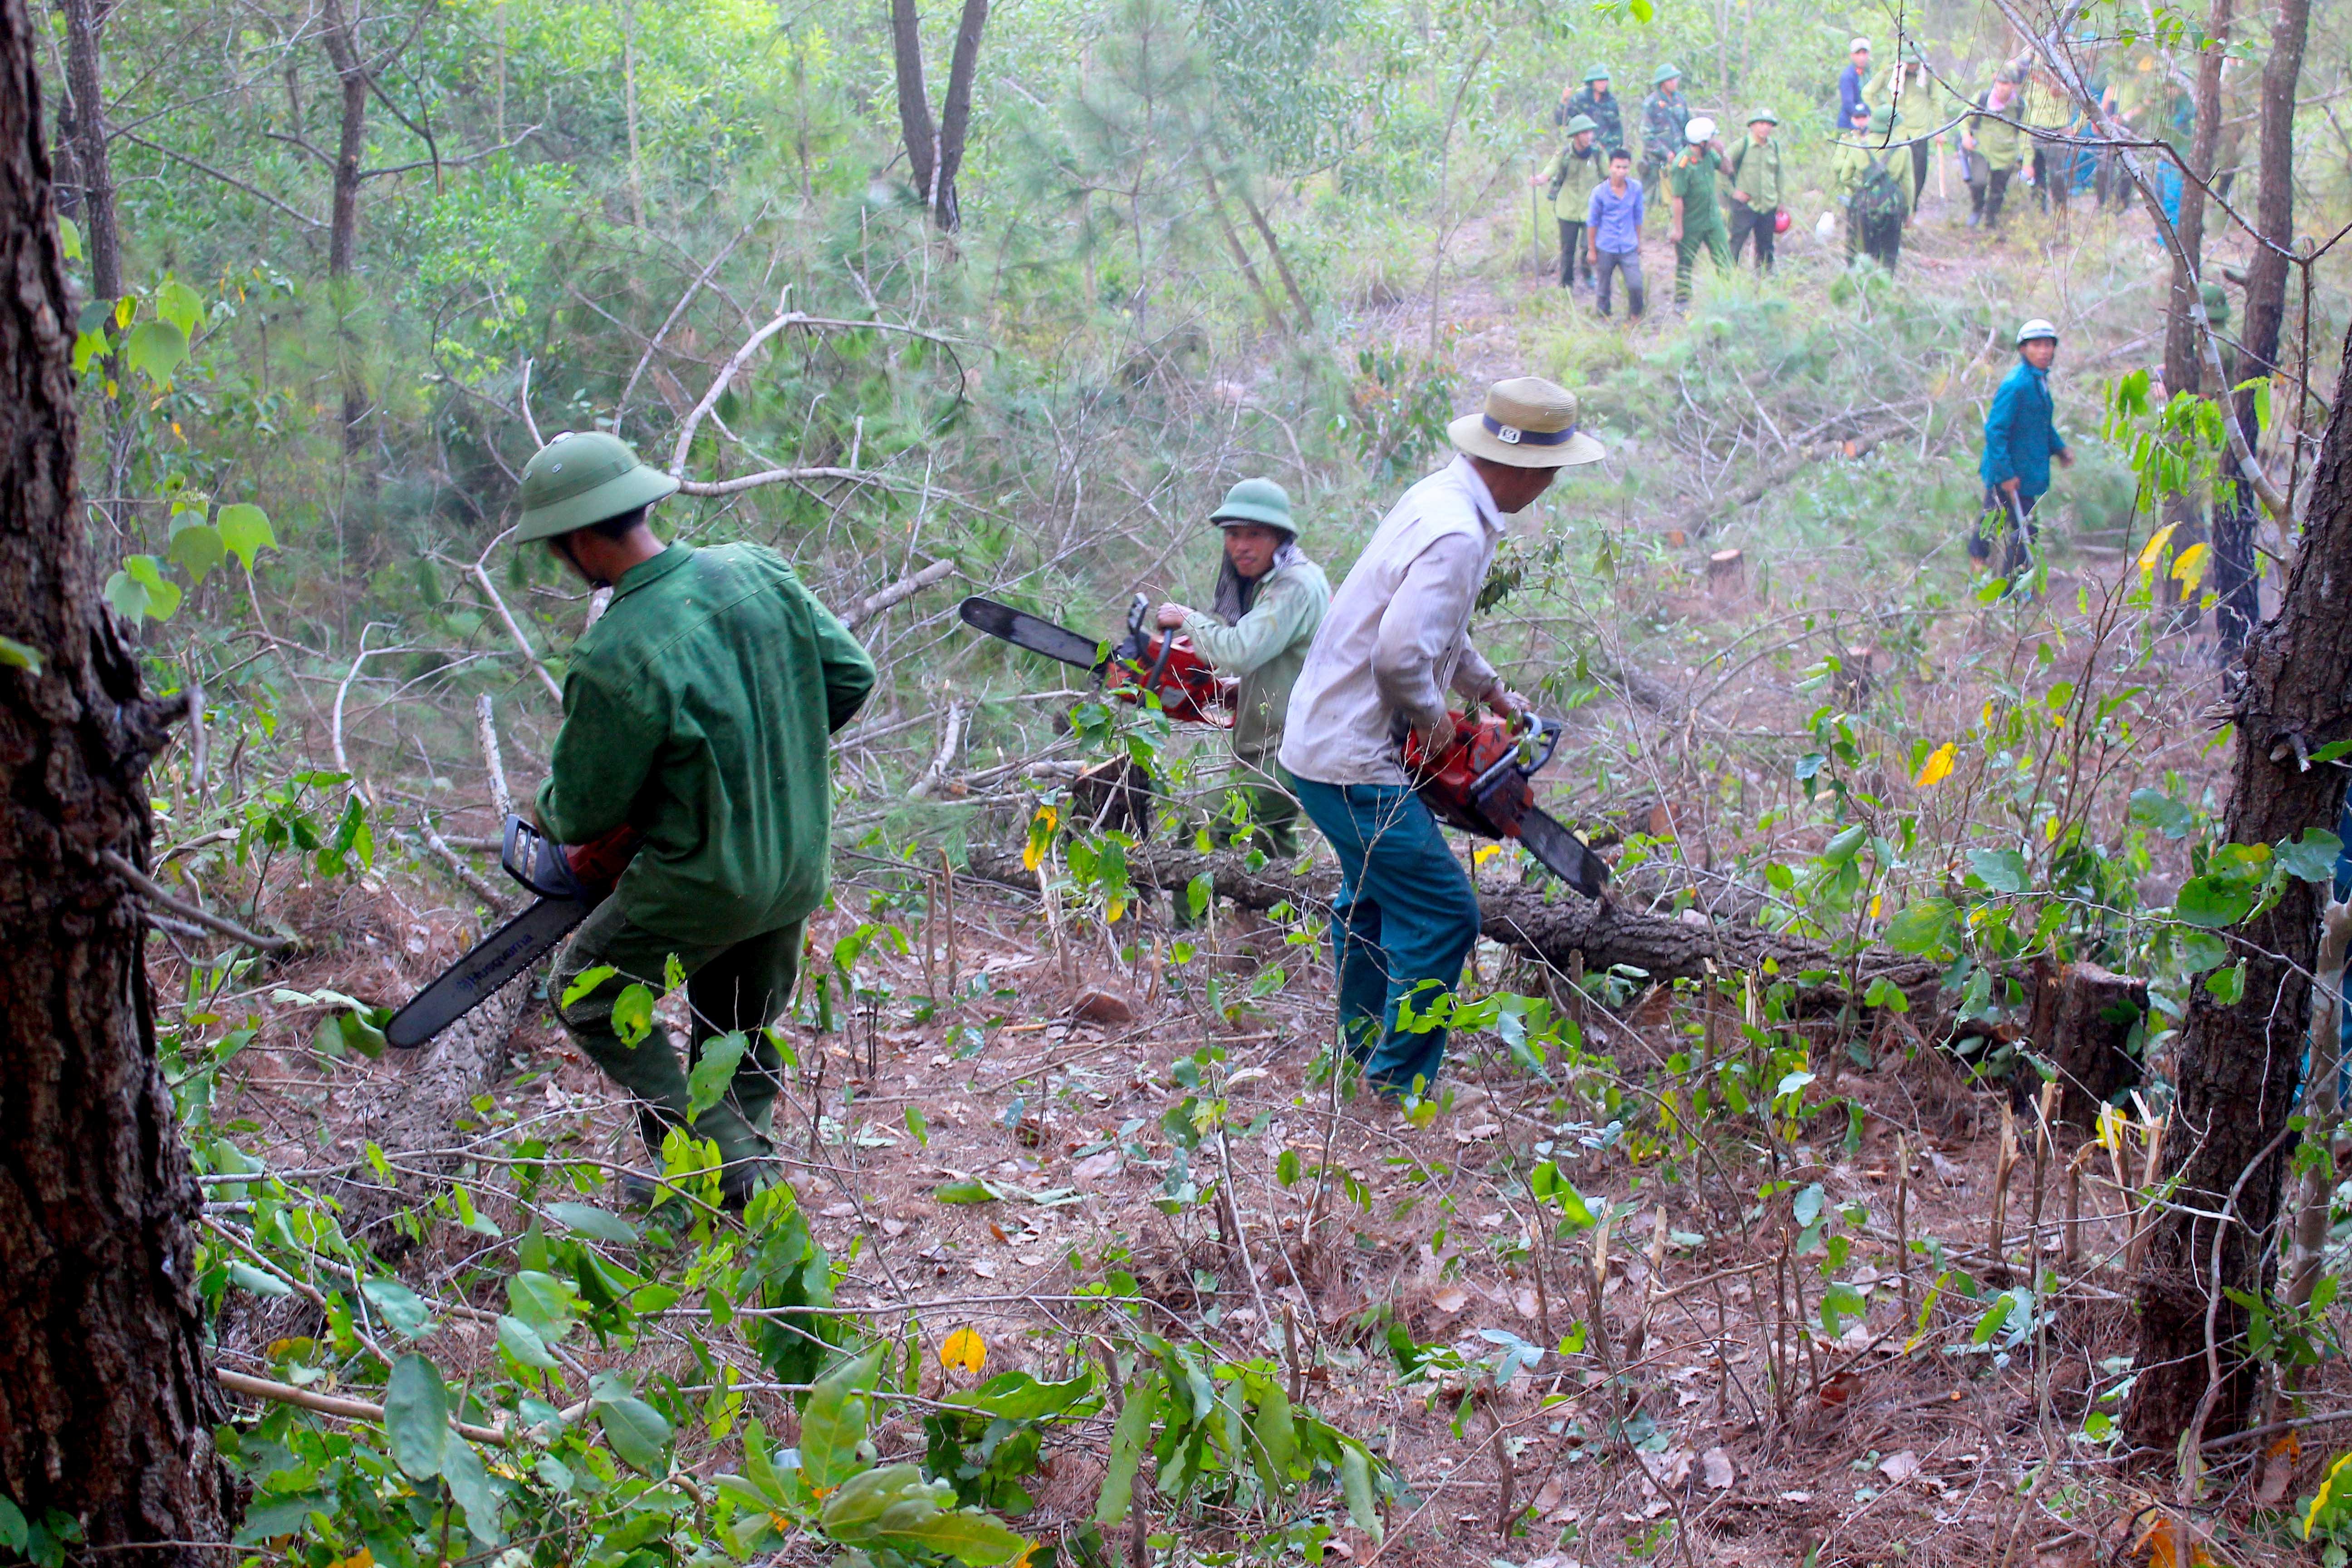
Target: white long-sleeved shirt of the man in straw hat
[{"x": 1398, "y": 634}]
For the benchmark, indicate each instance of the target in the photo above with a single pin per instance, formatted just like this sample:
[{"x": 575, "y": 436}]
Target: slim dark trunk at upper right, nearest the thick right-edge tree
[{"x": 2236, "y": 579}]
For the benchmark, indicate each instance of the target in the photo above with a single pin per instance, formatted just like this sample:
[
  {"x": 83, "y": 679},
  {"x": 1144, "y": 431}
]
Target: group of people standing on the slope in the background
[{"x": 1890, "y": 123}]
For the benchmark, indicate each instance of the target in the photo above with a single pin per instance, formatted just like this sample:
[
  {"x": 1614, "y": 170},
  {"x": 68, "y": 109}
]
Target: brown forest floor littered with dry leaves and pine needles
[{"x": 1718, "y": 1419}]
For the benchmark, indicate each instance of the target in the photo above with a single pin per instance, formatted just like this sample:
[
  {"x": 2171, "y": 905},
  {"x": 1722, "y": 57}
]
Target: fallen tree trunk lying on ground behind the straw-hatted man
[{"x": 1549, "y": 925}]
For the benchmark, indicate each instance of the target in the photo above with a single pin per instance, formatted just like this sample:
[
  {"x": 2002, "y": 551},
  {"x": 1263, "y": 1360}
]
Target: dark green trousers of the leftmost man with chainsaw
[{"x": 730, "y": 989}]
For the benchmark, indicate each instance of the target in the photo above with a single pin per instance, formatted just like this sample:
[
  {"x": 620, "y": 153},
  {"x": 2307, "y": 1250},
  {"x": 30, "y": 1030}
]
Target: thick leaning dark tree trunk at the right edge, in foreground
[{"x": 2240, "y": 1064}]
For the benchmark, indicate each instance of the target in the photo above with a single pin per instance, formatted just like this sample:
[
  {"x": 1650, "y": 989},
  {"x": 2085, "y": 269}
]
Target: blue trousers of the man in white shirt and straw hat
[{"x": 1405, "y": 918}]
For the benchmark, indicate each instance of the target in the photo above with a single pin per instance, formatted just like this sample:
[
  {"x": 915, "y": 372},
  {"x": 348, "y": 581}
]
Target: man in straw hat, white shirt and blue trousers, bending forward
[{"x": 1396, "y": 638}]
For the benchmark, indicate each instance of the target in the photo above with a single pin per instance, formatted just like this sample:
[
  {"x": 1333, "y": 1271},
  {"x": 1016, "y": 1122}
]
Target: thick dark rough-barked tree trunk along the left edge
[{"x": 105, "y": 1398}]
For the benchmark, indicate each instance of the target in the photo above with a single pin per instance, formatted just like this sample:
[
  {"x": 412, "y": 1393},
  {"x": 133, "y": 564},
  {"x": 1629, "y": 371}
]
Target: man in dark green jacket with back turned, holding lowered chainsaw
[{"x": 697, "y": 711}]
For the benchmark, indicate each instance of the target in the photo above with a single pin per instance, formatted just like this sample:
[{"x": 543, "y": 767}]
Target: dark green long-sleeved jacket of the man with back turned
[{"x": 700, "y": 711}]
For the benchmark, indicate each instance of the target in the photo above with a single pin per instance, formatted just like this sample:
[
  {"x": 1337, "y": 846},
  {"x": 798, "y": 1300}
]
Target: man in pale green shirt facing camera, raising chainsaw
[{"x": 1257, "y": 629}]
